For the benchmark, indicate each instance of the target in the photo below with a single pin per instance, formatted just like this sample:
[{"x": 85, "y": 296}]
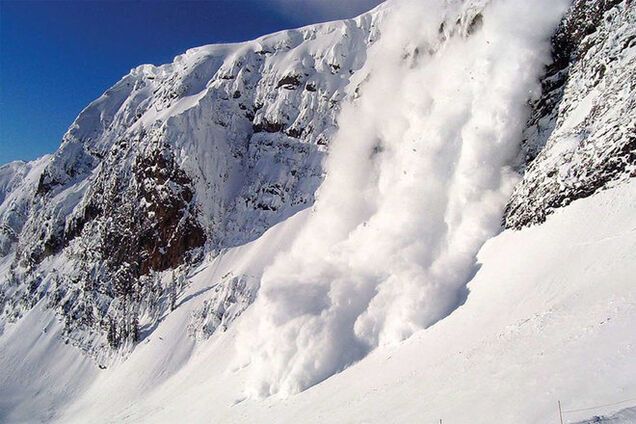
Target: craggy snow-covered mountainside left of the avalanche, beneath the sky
[{"x": 170, "y": 164}]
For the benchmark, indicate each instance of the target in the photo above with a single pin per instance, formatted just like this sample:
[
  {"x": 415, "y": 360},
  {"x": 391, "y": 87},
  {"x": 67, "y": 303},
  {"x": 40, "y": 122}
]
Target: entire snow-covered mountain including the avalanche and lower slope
[{"x": 260, "y": 218}]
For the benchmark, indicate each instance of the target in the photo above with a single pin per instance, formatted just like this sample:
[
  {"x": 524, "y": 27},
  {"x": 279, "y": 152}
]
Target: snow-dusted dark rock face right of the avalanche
[{"x": 582, "y": 134}]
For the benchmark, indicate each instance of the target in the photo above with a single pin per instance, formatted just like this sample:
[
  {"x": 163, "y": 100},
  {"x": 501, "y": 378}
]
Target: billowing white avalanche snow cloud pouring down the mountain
[{"x": 417, "y": 179}]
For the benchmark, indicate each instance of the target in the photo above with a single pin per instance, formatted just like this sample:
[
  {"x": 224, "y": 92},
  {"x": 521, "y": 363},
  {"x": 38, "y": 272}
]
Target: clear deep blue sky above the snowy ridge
[{"x": 57, "y": 56}]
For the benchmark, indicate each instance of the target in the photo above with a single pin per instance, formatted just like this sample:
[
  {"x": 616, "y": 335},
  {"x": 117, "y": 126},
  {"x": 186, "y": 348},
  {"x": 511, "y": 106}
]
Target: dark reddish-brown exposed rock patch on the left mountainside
[{"x": 147, "y": 214}]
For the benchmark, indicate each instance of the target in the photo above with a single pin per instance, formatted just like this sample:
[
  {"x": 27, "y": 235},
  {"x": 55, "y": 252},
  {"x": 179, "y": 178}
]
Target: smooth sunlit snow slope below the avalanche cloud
[{"x": 548, "y": 317}]
